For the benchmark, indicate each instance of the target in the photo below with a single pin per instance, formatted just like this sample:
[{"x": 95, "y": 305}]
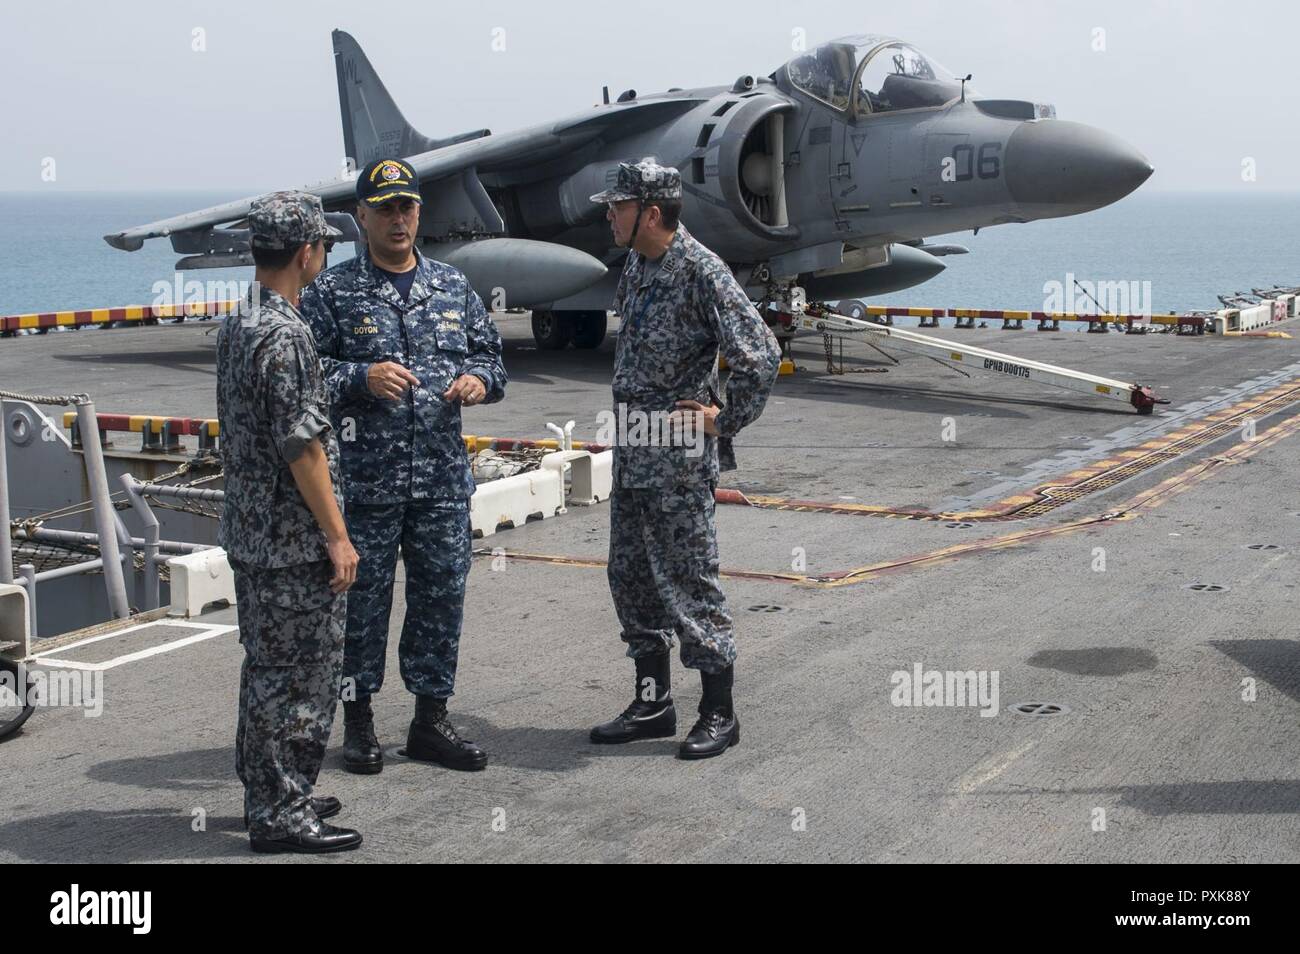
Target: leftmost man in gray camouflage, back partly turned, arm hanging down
[{"x": 284, "y": 534}]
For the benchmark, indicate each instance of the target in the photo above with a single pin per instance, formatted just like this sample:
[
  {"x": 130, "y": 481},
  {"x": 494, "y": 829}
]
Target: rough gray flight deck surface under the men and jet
[{"x": 1086, "y": 605}]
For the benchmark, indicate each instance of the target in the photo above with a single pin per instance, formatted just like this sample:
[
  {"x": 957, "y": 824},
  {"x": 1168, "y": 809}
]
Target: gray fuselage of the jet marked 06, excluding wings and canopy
[{"x": 863, "y": 181}]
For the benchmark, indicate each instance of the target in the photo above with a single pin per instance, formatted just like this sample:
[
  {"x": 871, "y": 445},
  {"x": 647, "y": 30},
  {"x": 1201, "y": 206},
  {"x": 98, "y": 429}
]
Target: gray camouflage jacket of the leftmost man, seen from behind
[{"x": 272, "y": 405}]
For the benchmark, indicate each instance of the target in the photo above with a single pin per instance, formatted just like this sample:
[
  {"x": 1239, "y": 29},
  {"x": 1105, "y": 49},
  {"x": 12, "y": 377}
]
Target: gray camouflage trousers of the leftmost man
[{"x": 292, "y": 630}]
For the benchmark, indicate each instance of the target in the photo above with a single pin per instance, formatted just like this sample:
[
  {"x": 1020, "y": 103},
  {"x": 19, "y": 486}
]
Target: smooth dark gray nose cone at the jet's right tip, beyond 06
[{"x": 1061, "y": 168}]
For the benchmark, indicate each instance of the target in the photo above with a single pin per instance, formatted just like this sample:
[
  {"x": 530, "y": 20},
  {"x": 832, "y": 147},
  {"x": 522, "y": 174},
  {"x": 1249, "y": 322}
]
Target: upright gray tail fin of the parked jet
[{"x": 374, "y": 127}]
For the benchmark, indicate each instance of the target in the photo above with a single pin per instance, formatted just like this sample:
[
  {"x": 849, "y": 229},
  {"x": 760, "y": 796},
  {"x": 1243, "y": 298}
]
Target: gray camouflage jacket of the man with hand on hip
[{"x": 673, "y": 331}]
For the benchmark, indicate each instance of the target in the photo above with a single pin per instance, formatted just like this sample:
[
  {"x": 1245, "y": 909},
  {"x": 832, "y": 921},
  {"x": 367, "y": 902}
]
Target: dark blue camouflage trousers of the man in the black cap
[{"x": 435, "y": 540}]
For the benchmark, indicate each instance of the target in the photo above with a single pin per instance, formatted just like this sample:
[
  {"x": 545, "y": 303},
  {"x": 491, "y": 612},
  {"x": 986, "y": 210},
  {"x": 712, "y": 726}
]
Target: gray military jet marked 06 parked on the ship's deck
[{"x": 824, "y": 176}]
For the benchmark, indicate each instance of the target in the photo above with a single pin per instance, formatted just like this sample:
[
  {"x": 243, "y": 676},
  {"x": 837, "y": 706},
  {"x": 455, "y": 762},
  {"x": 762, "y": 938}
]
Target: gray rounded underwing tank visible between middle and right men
[{"x": 519, "y": 274}]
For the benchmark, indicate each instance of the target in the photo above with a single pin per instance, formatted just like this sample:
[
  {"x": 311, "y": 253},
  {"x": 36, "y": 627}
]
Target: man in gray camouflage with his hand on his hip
[{"x": 682, "y": 307}]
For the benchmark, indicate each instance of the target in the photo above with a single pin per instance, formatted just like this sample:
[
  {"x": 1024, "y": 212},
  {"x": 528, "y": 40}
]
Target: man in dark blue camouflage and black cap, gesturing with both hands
[{"x": 405, "y": 344}]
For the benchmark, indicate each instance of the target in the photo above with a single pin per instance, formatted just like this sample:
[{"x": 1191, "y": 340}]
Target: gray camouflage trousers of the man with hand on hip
[{"x": 664, "y": 576}]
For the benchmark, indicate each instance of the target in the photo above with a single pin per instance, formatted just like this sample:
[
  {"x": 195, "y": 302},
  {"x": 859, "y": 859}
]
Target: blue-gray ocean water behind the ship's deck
[{"x": 1181, "y": 250}]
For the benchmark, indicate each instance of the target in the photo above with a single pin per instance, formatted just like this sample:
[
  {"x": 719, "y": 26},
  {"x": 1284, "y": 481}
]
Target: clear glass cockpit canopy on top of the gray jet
[{"x": 865, "y": 76}]
